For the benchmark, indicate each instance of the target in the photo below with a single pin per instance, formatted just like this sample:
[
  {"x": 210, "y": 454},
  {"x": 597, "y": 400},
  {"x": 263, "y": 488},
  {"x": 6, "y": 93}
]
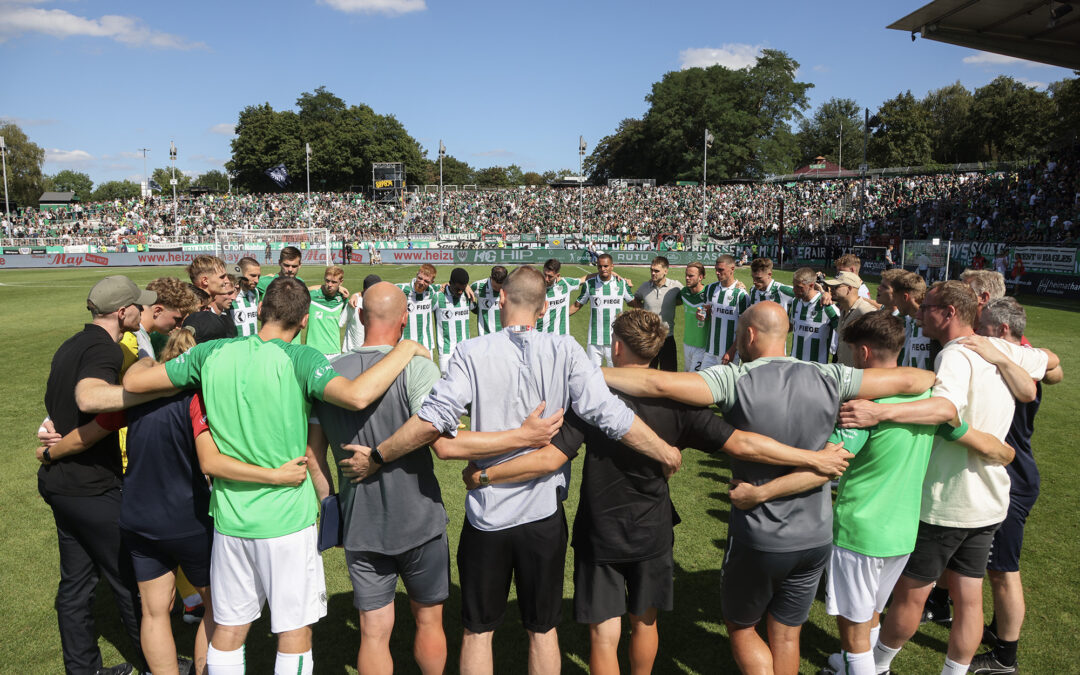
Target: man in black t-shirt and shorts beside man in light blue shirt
[{"x": 623, "y": 534}]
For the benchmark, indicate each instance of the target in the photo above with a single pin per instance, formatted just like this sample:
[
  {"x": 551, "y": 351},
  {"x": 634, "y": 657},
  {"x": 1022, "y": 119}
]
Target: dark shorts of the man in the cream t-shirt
[{"x": 961, "y": 549}]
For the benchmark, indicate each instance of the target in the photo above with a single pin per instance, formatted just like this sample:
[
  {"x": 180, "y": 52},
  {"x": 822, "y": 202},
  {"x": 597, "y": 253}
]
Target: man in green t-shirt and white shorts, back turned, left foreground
[{"x": 259, "y": 393}]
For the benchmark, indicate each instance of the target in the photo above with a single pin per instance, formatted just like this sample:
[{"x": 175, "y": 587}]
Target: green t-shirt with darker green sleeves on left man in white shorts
[{"x": 259, "y": 399}]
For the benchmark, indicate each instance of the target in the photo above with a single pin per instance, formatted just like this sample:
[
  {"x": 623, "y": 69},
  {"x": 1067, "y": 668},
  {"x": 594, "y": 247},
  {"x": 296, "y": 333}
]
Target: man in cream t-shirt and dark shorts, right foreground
[{"x": 965, "y": 495}]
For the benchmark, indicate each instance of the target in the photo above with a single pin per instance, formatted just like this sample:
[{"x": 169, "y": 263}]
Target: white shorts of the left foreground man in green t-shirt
[{"x": 286, "y": 571}]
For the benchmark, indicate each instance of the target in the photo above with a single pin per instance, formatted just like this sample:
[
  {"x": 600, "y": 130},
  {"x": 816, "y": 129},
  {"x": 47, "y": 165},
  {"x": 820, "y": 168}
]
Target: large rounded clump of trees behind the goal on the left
[{"x": 345, "y": 142}]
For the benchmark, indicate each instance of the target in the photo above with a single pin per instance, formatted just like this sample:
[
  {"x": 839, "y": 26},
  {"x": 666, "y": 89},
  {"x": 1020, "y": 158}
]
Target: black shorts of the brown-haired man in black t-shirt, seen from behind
[{"x": 602, "y": 592}]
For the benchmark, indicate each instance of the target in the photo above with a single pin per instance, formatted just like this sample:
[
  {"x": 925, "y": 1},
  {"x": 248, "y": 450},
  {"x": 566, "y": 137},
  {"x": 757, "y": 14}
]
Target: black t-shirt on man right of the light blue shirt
[{"x": 626, "y": 514}]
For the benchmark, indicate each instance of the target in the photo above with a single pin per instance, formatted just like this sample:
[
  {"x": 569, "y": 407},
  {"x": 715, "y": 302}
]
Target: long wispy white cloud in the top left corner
[{"x": 17, "y": 20}]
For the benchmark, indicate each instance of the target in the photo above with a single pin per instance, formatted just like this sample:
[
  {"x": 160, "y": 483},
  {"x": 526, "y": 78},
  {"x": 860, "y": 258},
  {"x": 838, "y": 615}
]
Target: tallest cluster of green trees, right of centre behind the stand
[{"x": 748, "y": 111}]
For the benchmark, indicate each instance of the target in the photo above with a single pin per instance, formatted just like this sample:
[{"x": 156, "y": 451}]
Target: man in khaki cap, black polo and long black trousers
[{"x": 84, "y": 491}]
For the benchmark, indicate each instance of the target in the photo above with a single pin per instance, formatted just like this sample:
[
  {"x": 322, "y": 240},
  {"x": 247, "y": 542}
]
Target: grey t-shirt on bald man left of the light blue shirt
[{"x": 400, "y": 507}]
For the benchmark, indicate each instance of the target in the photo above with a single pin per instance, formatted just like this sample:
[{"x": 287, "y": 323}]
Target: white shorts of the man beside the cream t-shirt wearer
[{"x": 857, "y": 586}]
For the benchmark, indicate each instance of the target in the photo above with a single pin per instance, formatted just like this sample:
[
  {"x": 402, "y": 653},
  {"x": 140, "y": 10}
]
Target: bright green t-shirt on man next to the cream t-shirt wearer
[{"x": 877, "y": 505}]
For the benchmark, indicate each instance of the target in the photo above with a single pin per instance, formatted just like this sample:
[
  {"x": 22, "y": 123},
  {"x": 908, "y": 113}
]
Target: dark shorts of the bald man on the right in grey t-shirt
[{"x": 784, "y": 585}]
